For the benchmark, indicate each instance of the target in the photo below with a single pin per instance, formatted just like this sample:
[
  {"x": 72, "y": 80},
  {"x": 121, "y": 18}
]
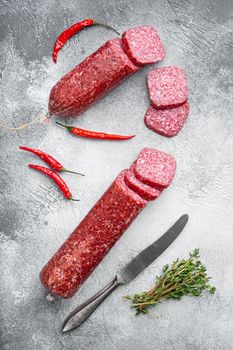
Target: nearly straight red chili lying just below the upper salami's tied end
[{"x": 93, "y": 134}]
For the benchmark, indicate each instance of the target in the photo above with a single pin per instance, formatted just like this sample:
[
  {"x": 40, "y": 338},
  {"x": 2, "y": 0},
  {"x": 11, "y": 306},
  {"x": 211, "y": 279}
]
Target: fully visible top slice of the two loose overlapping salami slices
[{"x": 167, "y": 86}]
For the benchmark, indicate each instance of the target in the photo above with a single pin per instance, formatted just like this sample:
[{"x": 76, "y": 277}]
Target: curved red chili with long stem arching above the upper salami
[{"x": 75, "y": 28}]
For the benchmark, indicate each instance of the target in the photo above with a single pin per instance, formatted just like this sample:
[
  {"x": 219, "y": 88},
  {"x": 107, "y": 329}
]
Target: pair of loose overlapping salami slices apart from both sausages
[{"x": 169, "y": 109}]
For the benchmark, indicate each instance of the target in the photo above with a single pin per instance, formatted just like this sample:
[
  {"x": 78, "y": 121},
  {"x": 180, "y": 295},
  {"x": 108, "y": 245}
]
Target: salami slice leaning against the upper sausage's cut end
[{"x": 143, "y": 45}]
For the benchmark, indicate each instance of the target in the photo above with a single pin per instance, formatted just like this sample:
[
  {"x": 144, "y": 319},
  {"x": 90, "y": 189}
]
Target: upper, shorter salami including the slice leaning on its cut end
[{"x": 103, "y": 70}]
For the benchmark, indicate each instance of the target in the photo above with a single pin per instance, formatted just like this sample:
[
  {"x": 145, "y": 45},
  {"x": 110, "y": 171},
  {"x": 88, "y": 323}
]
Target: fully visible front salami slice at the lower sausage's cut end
[{"x": 155, "y": 168}]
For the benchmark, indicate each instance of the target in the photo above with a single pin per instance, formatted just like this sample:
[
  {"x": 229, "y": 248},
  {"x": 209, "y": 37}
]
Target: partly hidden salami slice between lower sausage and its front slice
[{"x": 145, "y": 191}]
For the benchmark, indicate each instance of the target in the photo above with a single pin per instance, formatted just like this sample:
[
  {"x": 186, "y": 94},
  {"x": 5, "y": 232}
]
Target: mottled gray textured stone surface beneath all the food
[{"x": 35, "y": 219}]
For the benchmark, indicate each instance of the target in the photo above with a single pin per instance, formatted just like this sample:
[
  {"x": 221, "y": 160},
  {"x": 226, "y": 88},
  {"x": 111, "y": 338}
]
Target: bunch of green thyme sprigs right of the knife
[{"x": 182, "y": 277}]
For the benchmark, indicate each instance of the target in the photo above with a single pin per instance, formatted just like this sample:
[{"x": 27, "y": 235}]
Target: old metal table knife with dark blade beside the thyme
[{"x": 126, "y": 275}]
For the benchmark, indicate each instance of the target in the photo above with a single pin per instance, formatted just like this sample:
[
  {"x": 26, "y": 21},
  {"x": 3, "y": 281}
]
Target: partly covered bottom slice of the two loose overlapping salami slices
[{"x": 167, "y": 122}]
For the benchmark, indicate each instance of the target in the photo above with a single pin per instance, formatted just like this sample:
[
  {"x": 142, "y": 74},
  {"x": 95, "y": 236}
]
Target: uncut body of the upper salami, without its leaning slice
[{"x": 91, "y": 80}]
